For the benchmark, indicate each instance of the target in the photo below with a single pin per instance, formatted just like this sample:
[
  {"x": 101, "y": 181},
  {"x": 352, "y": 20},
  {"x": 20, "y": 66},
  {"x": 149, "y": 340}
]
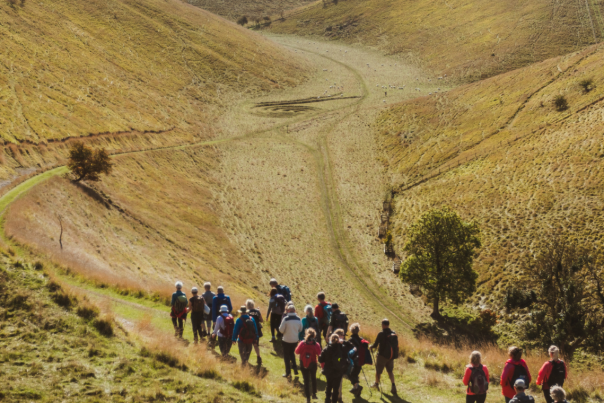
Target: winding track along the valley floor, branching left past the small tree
[{"x": 342, "y": 246}]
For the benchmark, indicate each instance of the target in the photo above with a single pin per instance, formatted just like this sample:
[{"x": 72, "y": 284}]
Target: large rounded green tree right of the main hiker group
[{"x": 441, "y": 249}]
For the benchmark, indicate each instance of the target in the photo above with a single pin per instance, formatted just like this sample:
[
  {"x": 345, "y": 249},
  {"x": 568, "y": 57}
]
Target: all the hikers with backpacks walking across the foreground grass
[{"x": 340, "y": 357}]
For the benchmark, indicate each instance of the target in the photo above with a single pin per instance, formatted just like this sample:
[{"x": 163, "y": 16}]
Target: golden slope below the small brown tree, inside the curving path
[{"x": 151, "y": 222}]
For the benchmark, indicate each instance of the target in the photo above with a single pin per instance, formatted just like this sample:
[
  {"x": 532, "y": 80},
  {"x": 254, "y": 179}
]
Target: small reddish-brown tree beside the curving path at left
[{"x": 88, "y": 164}]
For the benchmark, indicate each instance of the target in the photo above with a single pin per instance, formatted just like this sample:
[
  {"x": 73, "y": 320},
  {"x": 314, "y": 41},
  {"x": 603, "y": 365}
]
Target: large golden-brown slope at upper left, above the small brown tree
[{"x": 74, "y": 68}]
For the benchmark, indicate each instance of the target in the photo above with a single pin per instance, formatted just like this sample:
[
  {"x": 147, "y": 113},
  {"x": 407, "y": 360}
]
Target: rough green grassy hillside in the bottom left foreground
[{"x": 51, "y": 349}]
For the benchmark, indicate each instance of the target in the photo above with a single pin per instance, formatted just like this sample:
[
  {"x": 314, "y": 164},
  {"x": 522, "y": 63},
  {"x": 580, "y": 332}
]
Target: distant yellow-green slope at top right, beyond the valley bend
[{"x": 466, "y": 40}]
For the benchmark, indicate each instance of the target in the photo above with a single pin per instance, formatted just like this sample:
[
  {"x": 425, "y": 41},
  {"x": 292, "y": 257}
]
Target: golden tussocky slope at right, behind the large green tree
[{"x": 507, "y": 158}]
